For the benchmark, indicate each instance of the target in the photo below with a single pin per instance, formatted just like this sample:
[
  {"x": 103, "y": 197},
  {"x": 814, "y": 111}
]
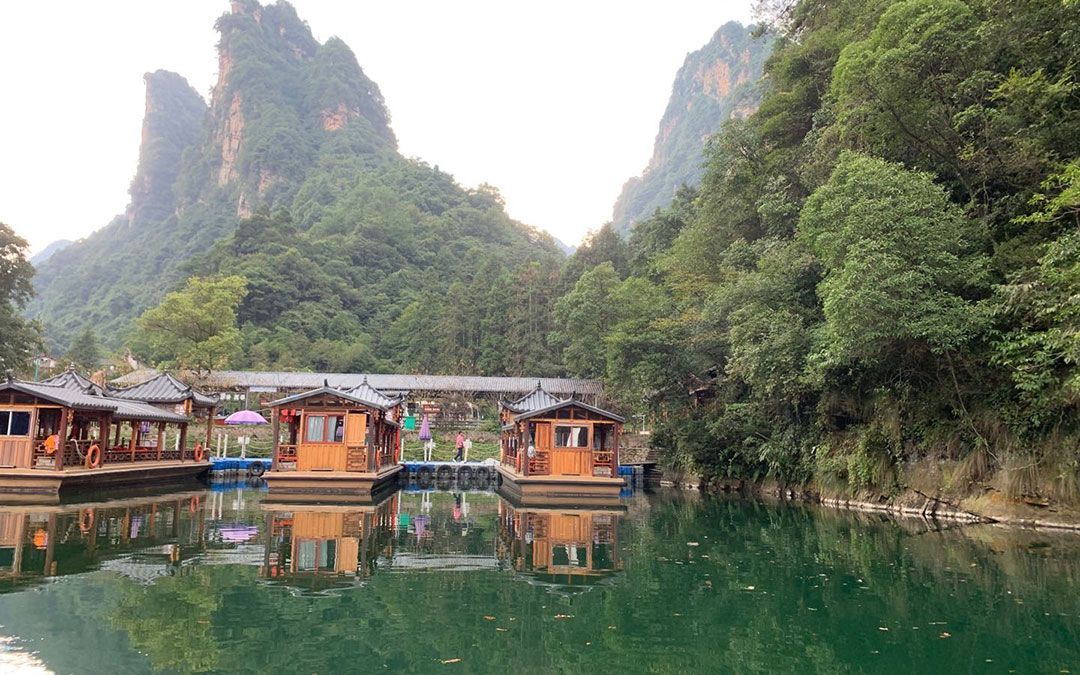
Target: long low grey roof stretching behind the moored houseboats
[{"x": 301, "y": 382}]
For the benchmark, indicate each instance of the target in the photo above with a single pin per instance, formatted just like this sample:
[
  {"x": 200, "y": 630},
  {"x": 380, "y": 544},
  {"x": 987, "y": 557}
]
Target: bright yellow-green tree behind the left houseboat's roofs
[{"x": 195, "y": 328}]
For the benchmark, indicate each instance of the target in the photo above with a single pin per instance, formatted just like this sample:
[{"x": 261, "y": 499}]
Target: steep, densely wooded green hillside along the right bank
[{"x": 875, "y": 286}]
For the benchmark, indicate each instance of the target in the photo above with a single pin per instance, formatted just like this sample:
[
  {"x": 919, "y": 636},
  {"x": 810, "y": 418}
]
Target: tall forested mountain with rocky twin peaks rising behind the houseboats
[{"x": 341, "y": 239}]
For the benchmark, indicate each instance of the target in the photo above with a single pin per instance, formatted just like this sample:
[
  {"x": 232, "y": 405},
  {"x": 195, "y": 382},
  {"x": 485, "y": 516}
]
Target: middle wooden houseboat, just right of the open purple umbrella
[{"x": 335, "y": 444}]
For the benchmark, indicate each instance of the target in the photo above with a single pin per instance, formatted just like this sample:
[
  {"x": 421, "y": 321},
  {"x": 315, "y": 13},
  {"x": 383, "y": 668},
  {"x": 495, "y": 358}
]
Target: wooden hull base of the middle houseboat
[{"x": 340, "y": 487}]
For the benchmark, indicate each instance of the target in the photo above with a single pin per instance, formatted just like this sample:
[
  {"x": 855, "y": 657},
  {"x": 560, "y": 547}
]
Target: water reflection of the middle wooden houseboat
[{"x": 316, "y": 548}]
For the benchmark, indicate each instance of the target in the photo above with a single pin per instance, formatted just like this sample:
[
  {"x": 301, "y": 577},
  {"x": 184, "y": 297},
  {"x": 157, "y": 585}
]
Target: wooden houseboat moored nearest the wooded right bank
[{"x": 559, "y": 451}]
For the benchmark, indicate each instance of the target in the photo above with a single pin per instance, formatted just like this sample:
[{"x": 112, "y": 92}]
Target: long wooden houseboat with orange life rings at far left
[{"x": 67, "y": 433}]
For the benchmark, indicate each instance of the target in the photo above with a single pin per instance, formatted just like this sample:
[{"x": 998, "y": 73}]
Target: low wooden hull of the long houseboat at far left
[{"x": 45, "y": 487}]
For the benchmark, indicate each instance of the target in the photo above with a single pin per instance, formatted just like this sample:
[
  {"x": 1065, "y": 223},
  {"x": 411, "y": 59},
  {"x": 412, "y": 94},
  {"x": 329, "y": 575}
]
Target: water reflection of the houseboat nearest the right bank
[{"x": 564, "y": 548}]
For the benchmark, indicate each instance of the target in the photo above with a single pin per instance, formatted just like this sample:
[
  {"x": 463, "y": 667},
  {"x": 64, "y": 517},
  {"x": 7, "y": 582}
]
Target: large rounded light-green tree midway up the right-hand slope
[{"x": 902, "y": 265}]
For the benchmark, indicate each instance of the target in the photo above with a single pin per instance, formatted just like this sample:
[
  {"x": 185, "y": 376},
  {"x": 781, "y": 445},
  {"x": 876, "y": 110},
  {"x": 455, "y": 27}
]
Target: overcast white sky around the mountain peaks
[{"x": 556, "y": 104}]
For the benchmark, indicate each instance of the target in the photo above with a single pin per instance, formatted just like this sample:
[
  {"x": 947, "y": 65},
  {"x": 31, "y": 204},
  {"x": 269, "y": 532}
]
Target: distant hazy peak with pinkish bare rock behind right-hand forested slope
[{"x": 719, "y": 83}]
